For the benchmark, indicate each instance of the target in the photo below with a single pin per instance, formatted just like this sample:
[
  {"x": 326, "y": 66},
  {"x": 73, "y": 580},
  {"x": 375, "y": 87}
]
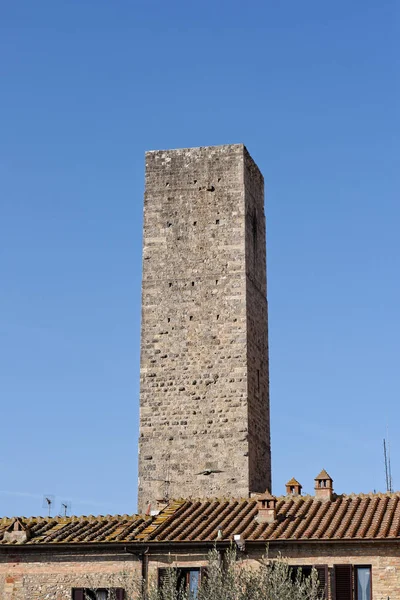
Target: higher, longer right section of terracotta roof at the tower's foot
[{"x": 302, "y": 518}]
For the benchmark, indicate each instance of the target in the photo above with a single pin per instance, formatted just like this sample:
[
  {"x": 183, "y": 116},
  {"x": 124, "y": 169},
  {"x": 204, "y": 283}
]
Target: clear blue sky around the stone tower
[{"x": 312, "y": 89}]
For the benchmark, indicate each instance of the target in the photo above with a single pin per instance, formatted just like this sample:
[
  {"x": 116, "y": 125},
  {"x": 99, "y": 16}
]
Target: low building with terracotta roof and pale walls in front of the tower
[{"x": 352, "y": 540}]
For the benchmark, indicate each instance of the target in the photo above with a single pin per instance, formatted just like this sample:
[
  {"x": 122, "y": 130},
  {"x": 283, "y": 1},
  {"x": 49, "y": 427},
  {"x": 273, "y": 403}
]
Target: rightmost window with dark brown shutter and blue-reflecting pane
[{"x": 353, "y": 582}]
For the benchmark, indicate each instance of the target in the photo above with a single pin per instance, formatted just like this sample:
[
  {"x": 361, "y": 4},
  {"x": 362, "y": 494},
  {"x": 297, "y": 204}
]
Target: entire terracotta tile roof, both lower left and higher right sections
[{"x": 301, "y": 518}]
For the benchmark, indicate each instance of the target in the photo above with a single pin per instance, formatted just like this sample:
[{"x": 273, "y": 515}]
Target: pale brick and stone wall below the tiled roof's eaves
[{"x": 44, "y": 576}]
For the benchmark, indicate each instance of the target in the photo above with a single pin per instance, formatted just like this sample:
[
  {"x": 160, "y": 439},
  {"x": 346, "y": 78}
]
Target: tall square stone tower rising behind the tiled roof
[{"x": 204, "y": 383}]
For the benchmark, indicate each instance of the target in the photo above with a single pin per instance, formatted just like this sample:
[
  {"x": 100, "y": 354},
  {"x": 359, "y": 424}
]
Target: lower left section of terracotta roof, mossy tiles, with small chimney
[{"x": 64, "y": 530}]
